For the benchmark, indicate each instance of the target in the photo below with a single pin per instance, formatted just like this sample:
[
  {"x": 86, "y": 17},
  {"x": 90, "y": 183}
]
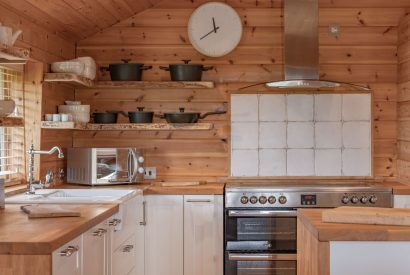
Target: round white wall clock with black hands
[{"x": 215, "y": 29}]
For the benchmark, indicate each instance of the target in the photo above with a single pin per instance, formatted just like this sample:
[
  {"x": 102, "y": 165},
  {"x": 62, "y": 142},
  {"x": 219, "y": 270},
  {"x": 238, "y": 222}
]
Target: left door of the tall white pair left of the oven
[{"x": 164, "y": 235}]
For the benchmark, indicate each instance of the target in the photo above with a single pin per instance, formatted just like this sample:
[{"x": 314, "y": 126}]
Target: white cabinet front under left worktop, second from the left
[{"x": 95, "y": 250}]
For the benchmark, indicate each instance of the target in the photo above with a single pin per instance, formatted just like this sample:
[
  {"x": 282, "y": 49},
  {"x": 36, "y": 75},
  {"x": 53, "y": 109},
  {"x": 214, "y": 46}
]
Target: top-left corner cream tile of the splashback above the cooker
[{"x": 244, "y": 108}]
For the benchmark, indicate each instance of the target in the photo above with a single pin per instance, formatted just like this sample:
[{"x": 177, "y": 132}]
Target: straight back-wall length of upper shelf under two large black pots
[{"x": 154, "y": 84}]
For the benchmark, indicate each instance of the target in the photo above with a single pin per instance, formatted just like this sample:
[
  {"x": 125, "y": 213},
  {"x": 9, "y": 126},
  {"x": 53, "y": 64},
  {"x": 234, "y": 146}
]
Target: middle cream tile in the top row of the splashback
[{"x": 300, "y": 107}]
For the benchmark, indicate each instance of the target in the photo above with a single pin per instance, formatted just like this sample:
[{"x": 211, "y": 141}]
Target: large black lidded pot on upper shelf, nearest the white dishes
[{"x": 126, "y": 71}]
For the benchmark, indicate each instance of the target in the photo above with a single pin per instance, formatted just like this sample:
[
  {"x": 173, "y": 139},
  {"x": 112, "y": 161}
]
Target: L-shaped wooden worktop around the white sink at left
[{"x": 19, "y": 235}]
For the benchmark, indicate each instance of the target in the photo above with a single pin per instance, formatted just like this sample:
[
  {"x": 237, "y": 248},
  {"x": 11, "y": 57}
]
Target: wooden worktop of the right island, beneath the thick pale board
[{"x": 312, "y": 220}]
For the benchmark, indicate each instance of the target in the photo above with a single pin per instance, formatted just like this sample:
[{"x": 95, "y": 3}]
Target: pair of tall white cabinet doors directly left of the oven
[{"x": 184, "y": 234}]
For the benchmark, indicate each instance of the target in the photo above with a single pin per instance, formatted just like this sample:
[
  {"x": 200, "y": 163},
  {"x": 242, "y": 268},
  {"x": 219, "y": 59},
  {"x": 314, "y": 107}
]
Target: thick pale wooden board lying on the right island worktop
[{"x": 367, "y": 215}]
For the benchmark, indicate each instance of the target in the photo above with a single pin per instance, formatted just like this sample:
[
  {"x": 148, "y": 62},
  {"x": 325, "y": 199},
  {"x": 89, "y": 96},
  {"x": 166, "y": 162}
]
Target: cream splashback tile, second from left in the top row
[{"x": 272, "y": 107}]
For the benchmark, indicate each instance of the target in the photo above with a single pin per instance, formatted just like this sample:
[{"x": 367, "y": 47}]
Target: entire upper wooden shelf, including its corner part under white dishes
[{"x": 77, "y": 81}]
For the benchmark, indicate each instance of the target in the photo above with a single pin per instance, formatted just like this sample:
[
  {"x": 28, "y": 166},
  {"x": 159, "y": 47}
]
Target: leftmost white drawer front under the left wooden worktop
[{"x": 67, "y": 258}]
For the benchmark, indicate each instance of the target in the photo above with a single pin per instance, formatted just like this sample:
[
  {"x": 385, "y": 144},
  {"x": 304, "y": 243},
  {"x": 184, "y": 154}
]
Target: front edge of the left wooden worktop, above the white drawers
[{"x": 43, "y": 248}]
